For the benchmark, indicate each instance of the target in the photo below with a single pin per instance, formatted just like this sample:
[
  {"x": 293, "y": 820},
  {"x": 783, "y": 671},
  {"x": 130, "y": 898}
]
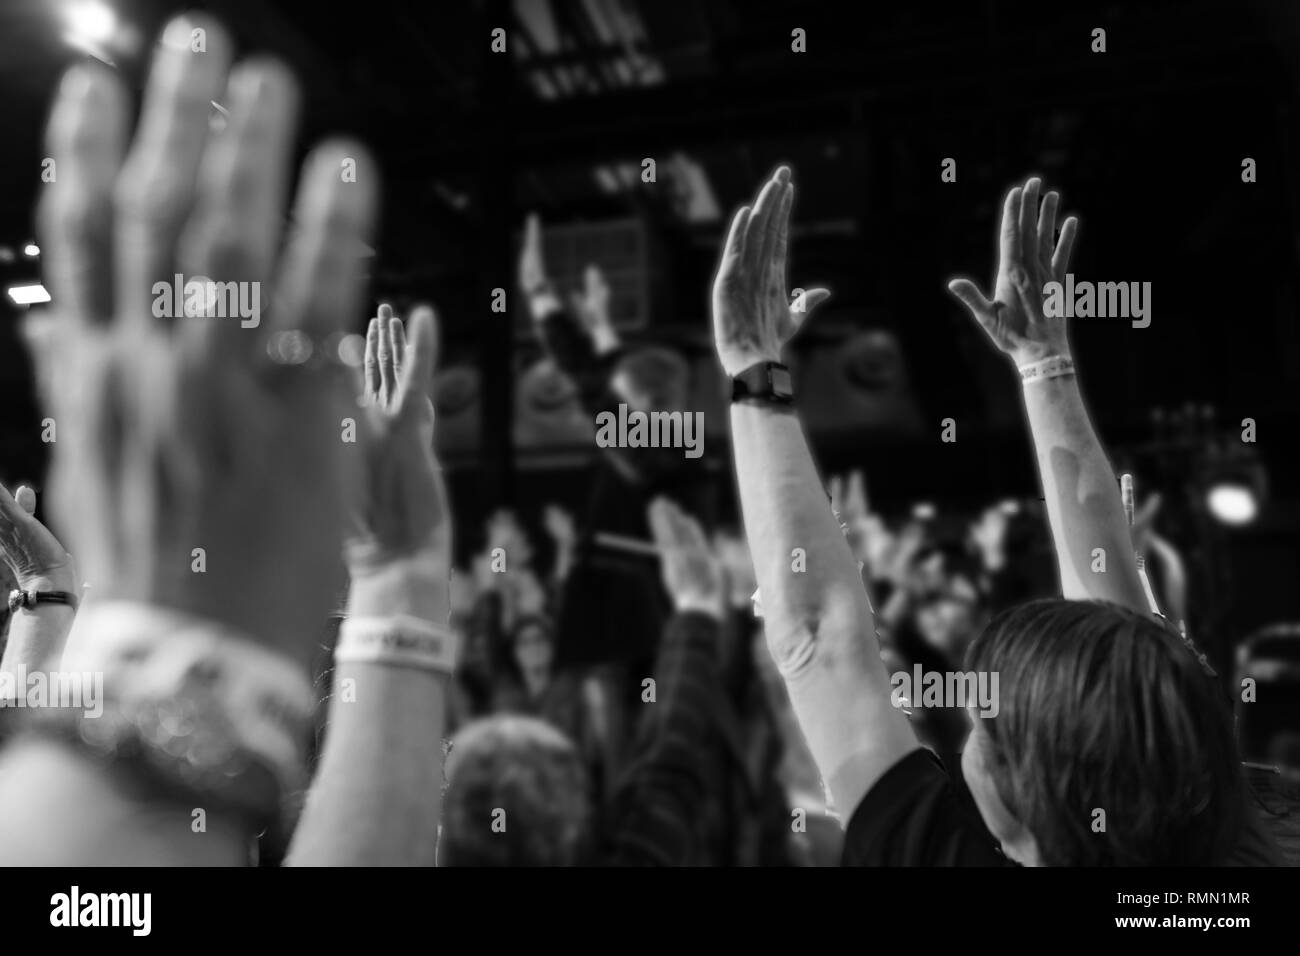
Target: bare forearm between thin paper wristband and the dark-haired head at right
[{"x": 1090, "y": 530}]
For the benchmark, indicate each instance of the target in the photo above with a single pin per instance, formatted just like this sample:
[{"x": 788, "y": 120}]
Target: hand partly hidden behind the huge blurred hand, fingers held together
[{"x": 401, "y": 509}]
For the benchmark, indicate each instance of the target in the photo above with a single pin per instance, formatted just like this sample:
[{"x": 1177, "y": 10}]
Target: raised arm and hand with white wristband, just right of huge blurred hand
[{"x": 376, "y": 798}]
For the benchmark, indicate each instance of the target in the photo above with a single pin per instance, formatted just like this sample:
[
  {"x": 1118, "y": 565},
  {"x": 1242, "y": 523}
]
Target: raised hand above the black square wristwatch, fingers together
[{"x": 753, "y": 314}]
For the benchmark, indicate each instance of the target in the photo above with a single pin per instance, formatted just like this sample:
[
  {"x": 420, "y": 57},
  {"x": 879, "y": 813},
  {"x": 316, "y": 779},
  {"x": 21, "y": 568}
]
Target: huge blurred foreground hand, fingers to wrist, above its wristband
[{"x": 209, "y": 438}]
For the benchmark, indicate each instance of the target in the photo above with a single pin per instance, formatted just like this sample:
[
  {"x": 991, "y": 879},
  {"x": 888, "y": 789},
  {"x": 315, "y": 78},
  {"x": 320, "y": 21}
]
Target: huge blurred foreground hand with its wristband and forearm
[{"x": 198, "y": 462}]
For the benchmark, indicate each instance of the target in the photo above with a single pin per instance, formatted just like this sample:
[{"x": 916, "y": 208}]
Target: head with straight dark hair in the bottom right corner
[{"x": 1111, "y": 745}]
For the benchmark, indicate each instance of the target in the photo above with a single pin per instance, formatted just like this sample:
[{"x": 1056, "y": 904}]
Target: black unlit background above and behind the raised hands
[{"x": 1146, "y": 142}]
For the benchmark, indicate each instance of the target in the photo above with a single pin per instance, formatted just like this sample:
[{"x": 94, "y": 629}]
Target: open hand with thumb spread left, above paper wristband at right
[{"x": 1030, "y": 256}]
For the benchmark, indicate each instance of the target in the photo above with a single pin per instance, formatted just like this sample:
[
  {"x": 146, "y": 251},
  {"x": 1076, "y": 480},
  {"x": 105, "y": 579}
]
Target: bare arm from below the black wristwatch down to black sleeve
[{"x": 818, "y": 621}]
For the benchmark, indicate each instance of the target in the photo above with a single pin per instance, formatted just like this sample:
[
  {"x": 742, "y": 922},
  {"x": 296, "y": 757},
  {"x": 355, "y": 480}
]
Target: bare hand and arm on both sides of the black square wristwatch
[{"x": 816, "y": 612}]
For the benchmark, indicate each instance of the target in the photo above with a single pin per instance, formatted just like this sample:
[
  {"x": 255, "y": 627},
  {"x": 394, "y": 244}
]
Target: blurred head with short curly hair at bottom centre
[{"x": 517, "y": 797}]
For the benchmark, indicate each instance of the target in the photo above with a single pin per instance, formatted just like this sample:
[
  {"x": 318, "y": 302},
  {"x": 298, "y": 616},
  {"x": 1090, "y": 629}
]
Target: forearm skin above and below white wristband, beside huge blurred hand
[{"x": 376, "y": 798}]
